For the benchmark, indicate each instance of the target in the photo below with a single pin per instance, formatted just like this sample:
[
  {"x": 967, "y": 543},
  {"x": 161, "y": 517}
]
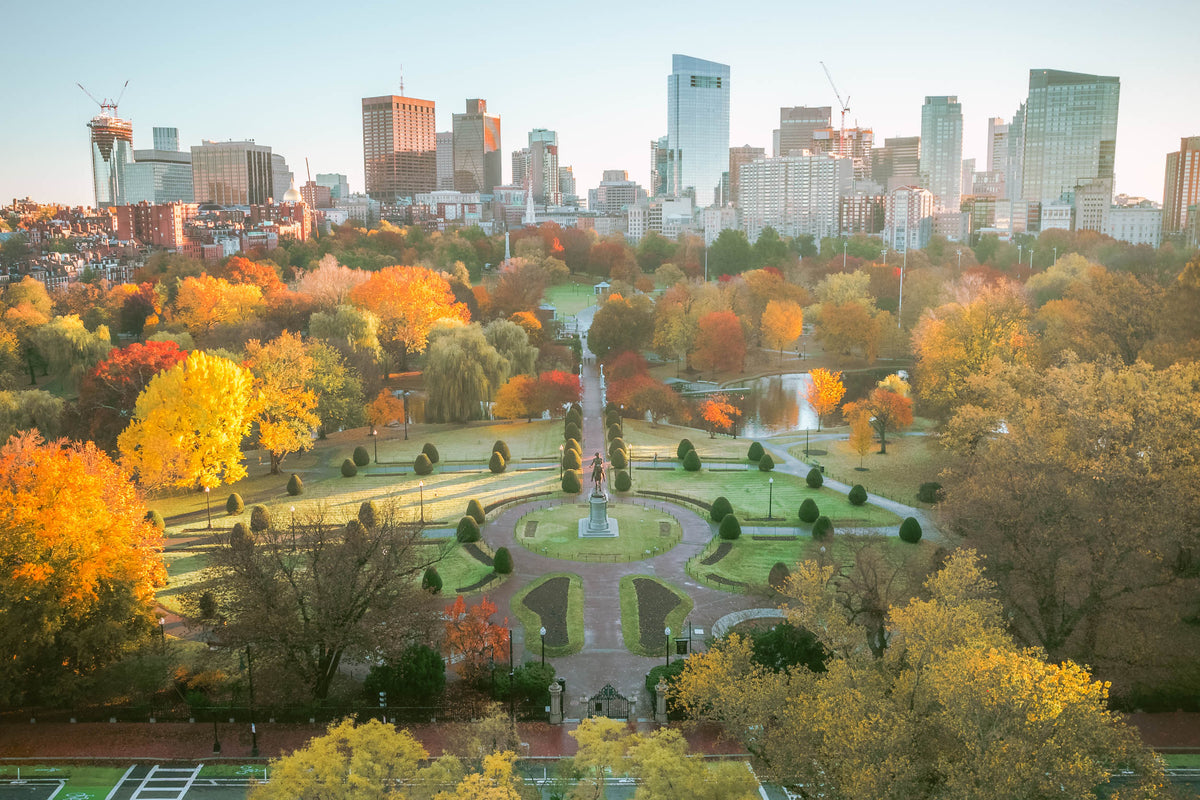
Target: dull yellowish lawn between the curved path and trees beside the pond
[{"x": 911, "y": 461}]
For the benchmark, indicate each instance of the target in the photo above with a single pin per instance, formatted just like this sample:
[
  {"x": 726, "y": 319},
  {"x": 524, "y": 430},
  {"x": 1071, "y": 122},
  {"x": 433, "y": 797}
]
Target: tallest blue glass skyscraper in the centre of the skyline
[{"x": 698, "y": 127}]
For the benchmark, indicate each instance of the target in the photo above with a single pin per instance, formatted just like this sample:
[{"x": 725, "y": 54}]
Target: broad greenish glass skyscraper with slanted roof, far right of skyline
[{"x": 1071, "y": 133}]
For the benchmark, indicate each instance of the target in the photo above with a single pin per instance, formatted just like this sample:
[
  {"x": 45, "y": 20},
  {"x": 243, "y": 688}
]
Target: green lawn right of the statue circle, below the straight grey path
[{"x": 749, "y": 561}]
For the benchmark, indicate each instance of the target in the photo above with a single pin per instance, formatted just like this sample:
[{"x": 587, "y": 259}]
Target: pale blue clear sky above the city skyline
[{"x": 292, "y": 75}]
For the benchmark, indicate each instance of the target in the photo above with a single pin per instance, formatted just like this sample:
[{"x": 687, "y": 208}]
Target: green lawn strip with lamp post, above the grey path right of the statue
[{"x": 749, "y": 494}]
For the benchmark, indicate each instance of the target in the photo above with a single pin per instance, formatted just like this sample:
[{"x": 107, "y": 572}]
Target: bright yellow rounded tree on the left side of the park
[{"x": 189, "y": 424}]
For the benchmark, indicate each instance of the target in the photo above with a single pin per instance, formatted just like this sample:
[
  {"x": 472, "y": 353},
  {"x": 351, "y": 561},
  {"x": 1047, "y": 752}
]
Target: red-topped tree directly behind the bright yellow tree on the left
[{"x": 109, "y": 394}]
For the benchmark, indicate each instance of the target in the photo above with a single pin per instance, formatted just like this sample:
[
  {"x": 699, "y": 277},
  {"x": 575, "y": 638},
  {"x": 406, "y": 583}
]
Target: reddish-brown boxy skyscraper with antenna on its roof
[{"x": 399, "y": 147}]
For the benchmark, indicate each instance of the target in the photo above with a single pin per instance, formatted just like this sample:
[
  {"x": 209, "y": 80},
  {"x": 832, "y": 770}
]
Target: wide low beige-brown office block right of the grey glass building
[{"x": 232, "y": 173}]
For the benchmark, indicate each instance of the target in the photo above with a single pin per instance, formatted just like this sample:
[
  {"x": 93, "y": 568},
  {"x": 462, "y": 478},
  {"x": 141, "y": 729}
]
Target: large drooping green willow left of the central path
[{"x": 463, "y": 374}]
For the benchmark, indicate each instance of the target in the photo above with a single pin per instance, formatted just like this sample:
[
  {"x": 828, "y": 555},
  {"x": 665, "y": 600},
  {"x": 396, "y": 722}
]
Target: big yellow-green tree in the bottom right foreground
[{"x": 925, "y": 718}]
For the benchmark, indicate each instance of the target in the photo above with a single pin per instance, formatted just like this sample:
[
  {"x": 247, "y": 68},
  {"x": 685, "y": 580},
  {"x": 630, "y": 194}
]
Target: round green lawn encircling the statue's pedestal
[{"x": 645, "y": 533}]
